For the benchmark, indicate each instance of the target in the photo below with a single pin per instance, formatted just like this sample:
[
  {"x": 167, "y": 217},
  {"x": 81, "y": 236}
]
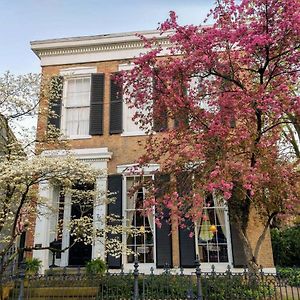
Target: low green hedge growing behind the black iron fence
[{"x": 180, "y": 287}]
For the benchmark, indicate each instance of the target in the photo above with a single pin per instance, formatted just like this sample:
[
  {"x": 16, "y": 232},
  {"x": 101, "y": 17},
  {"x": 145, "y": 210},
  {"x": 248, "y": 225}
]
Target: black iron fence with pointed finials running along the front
[{"x": 170, "y": 284}]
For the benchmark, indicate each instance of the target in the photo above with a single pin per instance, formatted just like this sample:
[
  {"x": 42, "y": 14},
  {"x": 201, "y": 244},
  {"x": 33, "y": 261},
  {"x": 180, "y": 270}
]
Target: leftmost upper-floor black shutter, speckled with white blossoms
[{"x": 55, "y": 101}]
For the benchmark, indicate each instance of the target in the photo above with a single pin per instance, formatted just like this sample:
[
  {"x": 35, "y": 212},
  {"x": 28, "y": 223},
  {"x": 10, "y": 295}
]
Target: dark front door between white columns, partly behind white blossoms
[{"x": 80, "y": 253}]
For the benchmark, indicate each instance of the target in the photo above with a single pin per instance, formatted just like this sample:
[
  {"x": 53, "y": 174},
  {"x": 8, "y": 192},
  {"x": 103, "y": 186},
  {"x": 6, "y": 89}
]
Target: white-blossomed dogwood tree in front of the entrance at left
[{"x": 22, "y": 171}]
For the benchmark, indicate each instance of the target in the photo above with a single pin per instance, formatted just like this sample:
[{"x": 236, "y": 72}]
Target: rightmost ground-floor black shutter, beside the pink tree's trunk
[{"x": 238, "y": 251}]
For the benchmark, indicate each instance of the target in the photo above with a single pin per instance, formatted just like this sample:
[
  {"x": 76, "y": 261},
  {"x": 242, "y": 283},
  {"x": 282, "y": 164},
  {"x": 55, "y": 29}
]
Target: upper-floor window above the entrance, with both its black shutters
[{"x": 76, "y": 101}]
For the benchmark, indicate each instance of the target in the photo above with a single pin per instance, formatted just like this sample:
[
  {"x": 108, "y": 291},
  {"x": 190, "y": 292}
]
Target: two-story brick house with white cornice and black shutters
[{"x": 99, "y": 127}]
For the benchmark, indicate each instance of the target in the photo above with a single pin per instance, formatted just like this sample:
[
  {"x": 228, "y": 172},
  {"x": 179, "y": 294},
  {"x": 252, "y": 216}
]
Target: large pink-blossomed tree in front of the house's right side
[{"x": 230, "y": 91}]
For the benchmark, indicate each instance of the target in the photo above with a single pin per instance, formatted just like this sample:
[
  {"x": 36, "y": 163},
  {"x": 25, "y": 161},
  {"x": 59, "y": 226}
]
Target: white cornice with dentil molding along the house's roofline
[{"x": 94, "y": 48}]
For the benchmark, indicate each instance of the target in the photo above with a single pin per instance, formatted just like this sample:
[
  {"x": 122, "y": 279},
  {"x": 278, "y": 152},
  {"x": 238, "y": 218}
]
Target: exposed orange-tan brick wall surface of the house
[{"x": 127, "y": 149}]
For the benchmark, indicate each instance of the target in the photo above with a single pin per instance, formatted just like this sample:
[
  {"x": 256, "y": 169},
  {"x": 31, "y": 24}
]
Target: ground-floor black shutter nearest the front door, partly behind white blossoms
[{"x": 115, "y": 208}]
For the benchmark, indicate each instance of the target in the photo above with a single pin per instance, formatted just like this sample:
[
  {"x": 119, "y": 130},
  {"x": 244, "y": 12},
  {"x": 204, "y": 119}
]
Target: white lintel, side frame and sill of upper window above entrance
[{"x": 70, "y": 73}]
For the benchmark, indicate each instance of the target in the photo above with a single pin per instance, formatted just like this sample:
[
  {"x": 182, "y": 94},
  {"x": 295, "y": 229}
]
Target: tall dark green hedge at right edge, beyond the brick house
[{"x": 286, "y": 246}]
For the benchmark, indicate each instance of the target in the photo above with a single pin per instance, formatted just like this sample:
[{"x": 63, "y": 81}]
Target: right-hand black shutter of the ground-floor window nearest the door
[{"x": 163, "y": 233}]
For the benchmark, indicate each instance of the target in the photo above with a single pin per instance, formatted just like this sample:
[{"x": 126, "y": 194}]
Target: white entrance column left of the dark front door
[{"x": 42, "y": 226}]
